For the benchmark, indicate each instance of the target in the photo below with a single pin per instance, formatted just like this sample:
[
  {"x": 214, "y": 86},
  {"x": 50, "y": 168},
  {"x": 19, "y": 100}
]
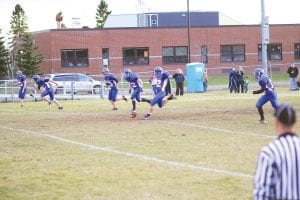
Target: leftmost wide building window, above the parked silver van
[{"x": 74, "y": 58}]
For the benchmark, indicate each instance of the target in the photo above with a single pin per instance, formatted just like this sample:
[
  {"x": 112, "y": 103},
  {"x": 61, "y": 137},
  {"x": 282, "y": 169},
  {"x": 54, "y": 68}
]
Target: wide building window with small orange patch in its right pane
[{"x": 136, "y": 56}]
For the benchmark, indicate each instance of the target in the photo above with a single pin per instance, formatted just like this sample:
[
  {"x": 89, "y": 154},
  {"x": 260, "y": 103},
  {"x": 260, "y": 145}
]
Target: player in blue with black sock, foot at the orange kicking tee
[{"x": 135, "y": 89}]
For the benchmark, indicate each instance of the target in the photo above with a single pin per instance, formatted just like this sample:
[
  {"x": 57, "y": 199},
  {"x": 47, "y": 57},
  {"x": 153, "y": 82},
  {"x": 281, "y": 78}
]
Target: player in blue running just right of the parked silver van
[{"x": 112, "y": 82}]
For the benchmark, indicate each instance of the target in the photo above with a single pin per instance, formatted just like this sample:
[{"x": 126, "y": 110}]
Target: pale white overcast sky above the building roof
[{"x": 41, "y": 13}]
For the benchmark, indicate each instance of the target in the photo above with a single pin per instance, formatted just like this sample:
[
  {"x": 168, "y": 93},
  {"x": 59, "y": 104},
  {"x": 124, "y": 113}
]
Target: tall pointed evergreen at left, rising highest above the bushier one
[{"x": 18, "y": 26}]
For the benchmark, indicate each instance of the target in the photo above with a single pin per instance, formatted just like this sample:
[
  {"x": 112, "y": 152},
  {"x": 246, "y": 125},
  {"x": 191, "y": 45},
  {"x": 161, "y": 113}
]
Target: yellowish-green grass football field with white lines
[{"x": 200, "y": 146}]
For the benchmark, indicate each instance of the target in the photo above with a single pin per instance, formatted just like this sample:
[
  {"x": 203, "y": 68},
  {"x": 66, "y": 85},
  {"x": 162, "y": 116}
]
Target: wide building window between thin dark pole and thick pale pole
[{"x": 232, "y": 53}]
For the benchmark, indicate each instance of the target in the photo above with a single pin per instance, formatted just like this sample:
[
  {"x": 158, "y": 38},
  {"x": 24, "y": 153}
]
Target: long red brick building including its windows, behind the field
[{"x": 87, "y": 50}]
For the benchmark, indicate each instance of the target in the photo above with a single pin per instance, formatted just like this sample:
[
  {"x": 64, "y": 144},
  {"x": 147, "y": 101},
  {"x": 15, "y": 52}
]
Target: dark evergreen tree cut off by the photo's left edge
[{"x": 4, "y": 59}]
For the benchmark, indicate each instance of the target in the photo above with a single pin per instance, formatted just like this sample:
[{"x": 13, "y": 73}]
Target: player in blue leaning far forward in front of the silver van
[{"x": 47, "y": 90}]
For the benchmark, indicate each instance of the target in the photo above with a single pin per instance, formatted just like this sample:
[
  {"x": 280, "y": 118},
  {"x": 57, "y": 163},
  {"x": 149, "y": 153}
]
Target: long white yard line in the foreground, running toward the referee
[{"x": 133, "y": 155}]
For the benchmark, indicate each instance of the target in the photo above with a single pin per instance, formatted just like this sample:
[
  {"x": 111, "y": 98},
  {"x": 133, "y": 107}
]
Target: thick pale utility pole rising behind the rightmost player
[{"x": 265, "y": 38}]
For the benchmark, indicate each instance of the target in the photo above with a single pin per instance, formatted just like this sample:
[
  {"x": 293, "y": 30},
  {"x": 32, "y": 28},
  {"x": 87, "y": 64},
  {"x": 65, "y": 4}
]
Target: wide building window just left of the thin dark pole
[{"x": 175, "y": 55}]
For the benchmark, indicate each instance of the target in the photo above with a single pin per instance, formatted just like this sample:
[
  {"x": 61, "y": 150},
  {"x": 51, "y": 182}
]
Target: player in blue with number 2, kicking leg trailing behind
[{"x": 159, "y": 99}]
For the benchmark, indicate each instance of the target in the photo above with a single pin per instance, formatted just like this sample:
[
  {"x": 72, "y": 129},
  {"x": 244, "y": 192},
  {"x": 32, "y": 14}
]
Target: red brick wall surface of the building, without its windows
[{"x": 51, "y": 42}]
